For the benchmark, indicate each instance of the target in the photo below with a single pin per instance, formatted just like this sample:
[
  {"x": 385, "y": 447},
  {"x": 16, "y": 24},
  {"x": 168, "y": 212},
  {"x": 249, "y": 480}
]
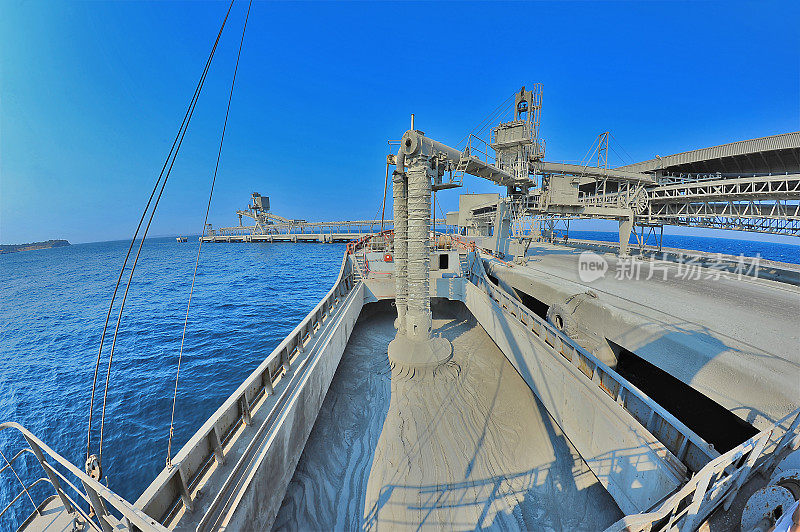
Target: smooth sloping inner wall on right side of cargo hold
[{"x": 629, "y": 462}]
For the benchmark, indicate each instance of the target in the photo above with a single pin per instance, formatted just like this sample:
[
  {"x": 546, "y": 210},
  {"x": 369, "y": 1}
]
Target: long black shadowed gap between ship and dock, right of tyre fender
[{"x": 707, "y": 418}]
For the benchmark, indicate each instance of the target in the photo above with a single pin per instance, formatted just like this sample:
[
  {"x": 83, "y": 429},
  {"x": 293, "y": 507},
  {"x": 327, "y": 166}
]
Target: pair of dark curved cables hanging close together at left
[{"x": 170, "y": 155}]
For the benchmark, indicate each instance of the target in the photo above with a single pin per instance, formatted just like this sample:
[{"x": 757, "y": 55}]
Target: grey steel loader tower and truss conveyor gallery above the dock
[{"x": 539, "y": 190}]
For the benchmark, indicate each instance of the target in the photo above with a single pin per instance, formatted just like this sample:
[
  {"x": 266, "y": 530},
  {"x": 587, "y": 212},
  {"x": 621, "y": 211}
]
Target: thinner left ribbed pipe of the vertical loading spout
[{"x": 400, "y": 209}]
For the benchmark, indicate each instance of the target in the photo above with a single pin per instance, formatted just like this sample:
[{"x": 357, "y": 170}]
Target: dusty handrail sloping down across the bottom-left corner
[{"x": 94, "y": 489}]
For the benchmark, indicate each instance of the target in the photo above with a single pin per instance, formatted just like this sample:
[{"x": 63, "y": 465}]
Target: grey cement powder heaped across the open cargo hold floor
[{"x": 478, "y": 448}]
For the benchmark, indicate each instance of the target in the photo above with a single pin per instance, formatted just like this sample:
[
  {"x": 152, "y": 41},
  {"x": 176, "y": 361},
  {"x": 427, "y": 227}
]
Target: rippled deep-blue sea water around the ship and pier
[{"x": 247, "y": 298}]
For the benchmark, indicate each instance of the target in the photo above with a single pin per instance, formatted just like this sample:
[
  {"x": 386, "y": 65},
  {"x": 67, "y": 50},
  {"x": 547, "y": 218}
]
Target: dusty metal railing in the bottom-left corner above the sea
[{"x": 96, "y": 501}]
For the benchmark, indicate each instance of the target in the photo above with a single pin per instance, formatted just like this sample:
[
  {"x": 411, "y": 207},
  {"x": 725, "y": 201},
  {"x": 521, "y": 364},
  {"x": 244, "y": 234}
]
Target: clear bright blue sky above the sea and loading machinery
[{"x": 91, "y": 95}]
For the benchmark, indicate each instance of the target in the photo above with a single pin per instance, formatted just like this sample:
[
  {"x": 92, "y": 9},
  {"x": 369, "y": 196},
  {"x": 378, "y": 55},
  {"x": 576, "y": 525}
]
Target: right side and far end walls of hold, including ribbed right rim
[{"x": 640, "y": 451}]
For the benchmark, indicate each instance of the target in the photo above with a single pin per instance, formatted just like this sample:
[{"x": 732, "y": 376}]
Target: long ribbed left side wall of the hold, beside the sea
[{"x": 234, "y": 471}]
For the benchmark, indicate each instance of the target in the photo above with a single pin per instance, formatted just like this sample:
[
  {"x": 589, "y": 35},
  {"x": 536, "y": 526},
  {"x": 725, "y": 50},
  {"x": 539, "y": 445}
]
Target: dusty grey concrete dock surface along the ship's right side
[{"x": 740, "y": 352}]
